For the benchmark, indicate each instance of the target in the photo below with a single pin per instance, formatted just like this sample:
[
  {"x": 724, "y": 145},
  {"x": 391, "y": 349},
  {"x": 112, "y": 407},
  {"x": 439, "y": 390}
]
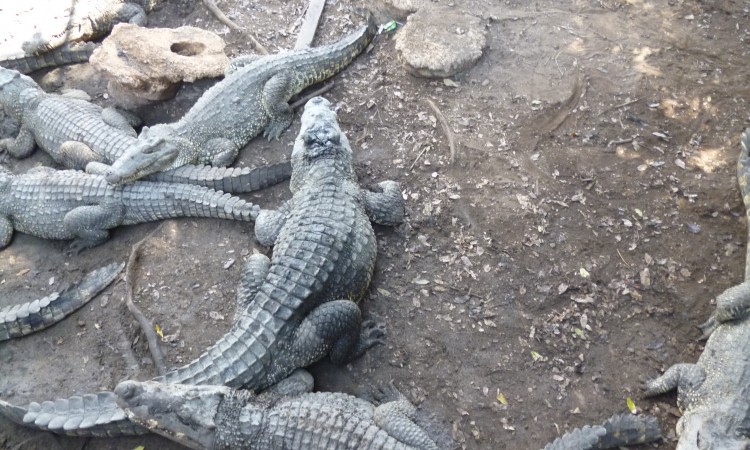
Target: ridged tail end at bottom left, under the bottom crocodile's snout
[{"x": 87, "y": 415}]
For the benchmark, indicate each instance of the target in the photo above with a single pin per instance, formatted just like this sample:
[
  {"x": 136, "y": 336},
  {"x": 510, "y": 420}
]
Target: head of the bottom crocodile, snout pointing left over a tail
[{"x": 186, "y": 414}]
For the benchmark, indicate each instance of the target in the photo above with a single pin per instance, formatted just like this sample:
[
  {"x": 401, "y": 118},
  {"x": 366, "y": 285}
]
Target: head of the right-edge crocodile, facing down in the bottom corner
[{"x": 712, "y": 430}]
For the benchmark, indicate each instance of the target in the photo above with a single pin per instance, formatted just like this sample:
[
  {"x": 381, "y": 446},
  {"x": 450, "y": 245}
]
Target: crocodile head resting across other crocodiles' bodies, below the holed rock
[{"x": 151, "y": 154}]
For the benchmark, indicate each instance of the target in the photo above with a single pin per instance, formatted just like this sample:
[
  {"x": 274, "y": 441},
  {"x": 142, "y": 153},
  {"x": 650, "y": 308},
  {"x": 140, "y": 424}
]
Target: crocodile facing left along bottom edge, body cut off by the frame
[{"x": 219, "y": 417}]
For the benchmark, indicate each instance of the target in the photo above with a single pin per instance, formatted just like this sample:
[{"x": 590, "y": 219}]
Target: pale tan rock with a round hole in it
[{"x": 146, "y": 64}]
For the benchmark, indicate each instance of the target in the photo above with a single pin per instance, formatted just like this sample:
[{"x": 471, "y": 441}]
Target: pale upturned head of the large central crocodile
[{"x": 320, "y": 141}]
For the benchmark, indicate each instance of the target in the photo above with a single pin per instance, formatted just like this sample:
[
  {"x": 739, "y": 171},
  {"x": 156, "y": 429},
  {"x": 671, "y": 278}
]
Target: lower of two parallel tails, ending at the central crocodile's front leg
[{"x": 148, "y": 201}]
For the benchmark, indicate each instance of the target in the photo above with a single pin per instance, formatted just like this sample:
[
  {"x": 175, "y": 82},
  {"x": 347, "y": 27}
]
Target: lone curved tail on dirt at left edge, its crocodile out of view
[{"x": 27, "y": 318}]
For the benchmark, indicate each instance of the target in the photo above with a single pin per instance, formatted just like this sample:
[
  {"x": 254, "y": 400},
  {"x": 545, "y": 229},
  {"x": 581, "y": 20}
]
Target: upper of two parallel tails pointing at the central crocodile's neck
[{"x": 228, "y": 179}]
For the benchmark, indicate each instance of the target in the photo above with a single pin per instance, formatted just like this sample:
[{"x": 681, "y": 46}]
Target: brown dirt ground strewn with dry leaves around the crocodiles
[{"x": 589, "y": 219}]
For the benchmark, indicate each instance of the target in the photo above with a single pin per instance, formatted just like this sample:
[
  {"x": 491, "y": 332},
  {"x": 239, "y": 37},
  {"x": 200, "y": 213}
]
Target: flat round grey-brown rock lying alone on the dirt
[{"x": 438, "y": 42}]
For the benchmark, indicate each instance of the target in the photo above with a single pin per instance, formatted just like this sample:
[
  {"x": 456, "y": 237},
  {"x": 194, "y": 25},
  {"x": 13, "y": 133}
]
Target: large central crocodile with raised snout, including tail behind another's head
[{"x": 296, "y": 307}]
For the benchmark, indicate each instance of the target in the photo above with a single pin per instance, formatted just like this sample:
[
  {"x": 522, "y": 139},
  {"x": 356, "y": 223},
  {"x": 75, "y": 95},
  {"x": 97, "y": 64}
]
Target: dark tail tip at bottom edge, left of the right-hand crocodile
[{"x": 617, "y": 431}]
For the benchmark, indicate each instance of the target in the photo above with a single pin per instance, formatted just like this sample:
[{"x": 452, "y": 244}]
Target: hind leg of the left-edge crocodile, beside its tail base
[{"x": 91, "y": 224}]
